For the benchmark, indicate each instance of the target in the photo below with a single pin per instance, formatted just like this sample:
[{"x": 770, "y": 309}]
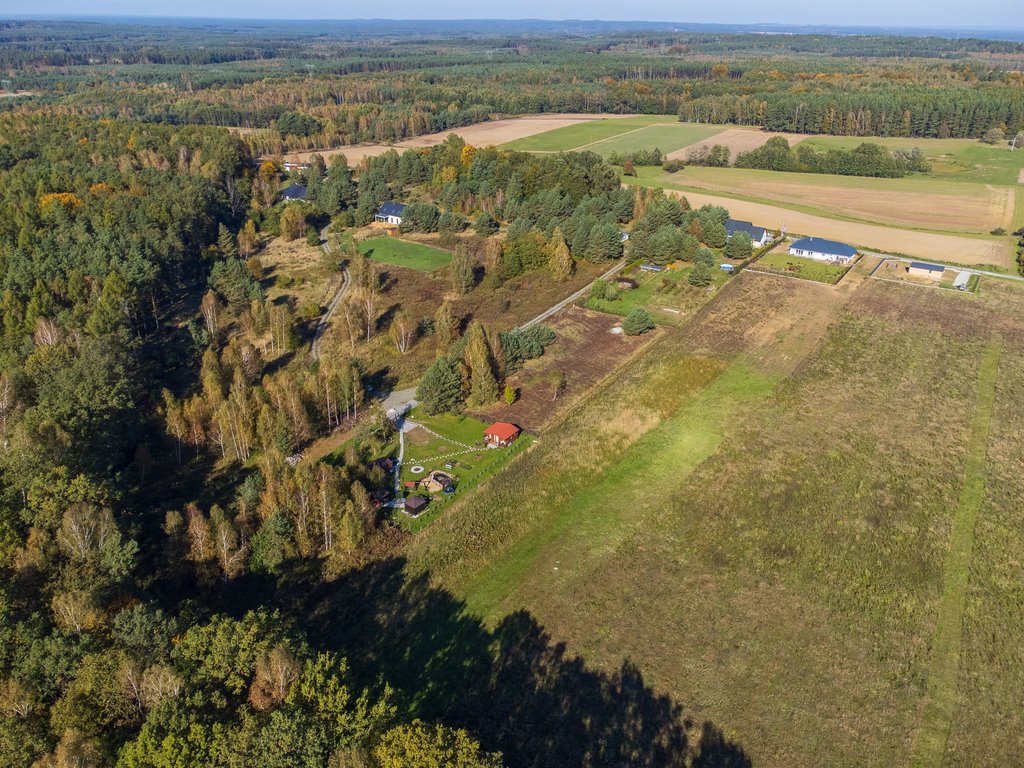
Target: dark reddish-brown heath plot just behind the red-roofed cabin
[{"x": 586, "y": 352}]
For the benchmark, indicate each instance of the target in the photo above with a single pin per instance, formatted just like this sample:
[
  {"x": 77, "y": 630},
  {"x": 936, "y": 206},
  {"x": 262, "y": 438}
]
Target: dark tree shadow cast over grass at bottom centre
[{"x": 513, "y": 688}]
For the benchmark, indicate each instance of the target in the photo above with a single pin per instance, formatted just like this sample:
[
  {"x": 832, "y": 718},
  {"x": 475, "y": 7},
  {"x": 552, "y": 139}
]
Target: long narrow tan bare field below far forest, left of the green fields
[{"x": 491, "y": 134}]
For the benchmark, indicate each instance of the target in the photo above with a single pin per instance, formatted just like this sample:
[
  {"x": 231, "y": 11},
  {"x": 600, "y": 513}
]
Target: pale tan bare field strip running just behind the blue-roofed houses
[{"x": 952, "y": 248}]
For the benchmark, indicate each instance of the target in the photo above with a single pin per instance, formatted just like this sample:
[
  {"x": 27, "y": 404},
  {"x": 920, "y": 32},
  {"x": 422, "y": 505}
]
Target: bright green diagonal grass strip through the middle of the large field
[{"x": 602, "y": 514}]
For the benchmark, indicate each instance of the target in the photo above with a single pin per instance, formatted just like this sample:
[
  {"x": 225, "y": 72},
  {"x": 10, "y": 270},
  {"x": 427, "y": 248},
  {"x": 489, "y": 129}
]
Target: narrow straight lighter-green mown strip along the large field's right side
[{"x": 941, "y": 699}]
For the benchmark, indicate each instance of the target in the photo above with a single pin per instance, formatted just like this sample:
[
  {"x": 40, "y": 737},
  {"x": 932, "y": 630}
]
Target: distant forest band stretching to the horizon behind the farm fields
[{"x": 858, "y": 86}]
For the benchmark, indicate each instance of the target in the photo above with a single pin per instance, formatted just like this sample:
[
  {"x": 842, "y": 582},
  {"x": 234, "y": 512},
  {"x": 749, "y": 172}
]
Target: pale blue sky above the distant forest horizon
[{"x": 992, "y": 14}]
